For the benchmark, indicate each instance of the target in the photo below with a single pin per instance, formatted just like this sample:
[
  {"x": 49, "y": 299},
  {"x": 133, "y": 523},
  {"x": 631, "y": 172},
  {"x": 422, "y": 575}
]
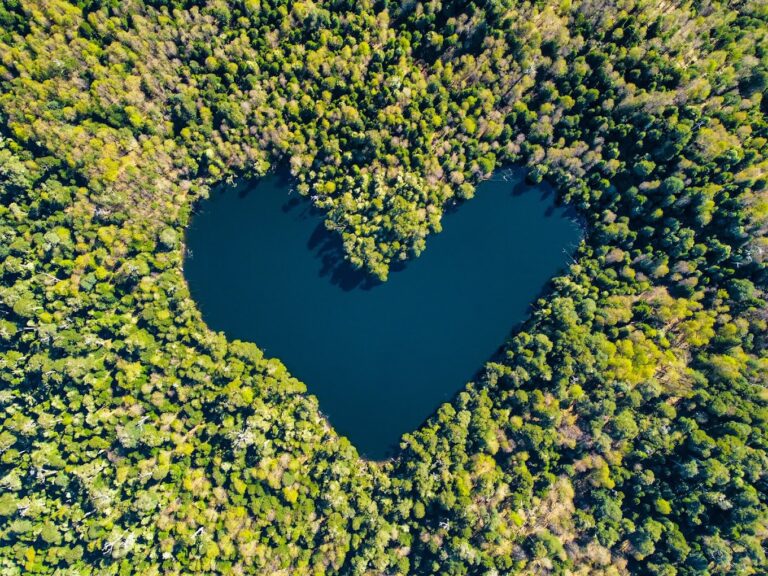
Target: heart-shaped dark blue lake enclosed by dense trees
[{"x": 379, "y": 357}]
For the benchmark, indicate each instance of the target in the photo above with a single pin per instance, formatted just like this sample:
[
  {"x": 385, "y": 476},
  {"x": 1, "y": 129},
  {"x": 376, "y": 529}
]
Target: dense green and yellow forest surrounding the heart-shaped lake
[{"x": 622, "y": 430}]
